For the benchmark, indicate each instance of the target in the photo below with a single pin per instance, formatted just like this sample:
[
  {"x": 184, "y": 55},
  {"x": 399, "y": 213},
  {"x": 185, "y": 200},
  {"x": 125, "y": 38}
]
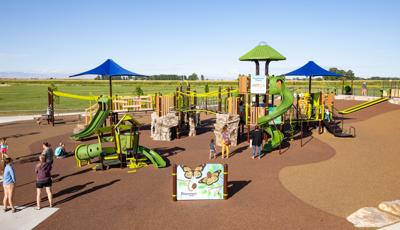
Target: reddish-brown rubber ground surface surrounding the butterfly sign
[{"x": 142, "y": 200}]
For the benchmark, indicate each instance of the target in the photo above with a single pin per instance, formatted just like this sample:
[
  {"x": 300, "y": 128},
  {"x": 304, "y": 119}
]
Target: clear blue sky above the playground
[{"x": 206, "y": 37}]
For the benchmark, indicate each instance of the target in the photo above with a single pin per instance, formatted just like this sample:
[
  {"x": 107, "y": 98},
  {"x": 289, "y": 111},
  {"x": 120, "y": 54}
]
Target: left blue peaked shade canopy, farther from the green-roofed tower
[{"x": 109, "y": 68}]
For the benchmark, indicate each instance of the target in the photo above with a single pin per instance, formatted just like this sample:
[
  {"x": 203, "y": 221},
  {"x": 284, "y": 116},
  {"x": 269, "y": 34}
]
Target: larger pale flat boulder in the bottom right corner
[{"x": 370, "y": 217}]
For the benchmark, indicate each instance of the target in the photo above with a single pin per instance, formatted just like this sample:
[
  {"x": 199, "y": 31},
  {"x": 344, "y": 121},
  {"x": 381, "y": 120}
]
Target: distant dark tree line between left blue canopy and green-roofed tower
[{"x": 169, "y": 77}]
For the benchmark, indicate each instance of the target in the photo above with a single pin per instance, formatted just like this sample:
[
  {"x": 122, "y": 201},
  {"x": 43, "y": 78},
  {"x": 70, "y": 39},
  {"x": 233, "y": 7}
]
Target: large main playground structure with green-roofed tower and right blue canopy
[{"x": 178, "y": 114}]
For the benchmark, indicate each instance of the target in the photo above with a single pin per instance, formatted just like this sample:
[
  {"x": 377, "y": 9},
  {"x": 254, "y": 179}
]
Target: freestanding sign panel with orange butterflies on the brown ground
[{"x": 204, "y": 182}]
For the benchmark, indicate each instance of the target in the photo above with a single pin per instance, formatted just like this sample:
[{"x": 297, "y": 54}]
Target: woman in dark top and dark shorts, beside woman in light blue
[{"x": 43, "y": 179}]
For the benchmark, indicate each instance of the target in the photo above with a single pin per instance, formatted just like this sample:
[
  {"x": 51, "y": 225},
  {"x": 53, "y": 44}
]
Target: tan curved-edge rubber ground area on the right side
[{"x": 363, "y": 173}]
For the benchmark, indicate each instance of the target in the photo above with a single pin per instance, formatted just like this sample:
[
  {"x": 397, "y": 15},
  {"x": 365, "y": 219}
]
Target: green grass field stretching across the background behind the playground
[{"x": 30, "y": 96}]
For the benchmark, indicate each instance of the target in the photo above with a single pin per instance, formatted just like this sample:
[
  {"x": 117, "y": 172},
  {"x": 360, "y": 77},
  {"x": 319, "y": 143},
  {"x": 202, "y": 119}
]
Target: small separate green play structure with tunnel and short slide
[{"x": 125, "y": 149}]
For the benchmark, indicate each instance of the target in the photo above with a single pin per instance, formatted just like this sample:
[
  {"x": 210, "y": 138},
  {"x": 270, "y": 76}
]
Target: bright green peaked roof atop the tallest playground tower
[{"x": 262, "y": 52}]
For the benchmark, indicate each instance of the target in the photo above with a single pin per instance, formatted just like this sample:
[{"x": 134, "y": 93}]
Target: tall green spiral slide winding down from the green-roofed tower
[{"x": 286, "y": 103}]
